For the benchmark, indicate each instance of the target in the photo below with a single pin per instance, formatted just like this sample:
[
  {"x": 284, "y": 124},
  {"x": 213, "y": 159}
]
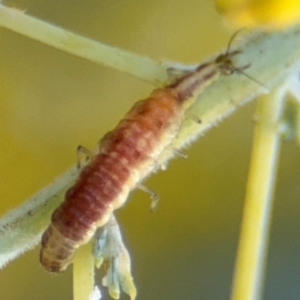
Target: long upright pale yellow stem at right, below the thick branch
[{"x": 252, "y": 250}]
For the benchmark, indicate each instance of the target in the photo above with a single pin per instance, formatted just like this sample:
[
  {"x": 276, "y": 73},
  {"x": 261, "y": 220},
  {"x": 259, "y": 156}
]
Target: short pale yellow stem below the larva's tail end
[{"x": 83, "y": 273}]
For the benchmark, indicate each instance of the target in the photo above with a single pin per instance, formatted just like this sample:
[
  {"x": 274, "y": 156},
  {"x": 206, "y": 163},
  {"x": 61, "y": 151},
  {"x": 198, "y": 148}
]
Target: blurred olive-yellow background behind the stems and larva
[{"x": 51, "y": 102}]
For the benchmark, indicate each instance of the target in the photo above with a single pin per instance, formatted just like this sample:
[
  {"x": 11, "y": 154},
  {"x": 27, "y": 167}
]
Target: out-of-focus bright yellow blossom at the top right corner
[{"x": 268, "y": 13}]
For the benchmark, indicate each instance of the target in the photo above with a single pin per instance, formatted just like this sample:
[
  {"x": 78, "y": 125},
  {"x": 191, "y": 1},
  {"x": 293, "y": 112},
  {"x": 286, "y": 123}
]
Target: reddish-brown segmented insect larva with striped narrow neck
[{"x": 125, "y": 157}]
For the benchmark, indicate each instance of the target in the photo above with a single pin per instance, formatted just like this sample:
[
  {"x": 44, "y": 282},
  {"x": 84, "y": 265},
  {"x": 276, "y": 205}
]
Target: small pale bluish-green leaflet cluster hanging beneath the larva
[{"x": 110, "y": 250}]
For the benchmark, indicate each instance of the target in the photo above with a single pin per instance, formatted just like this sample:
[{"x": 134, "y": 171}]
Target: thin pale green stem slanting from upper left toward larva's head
[{"x": 134, "y": 64}]
